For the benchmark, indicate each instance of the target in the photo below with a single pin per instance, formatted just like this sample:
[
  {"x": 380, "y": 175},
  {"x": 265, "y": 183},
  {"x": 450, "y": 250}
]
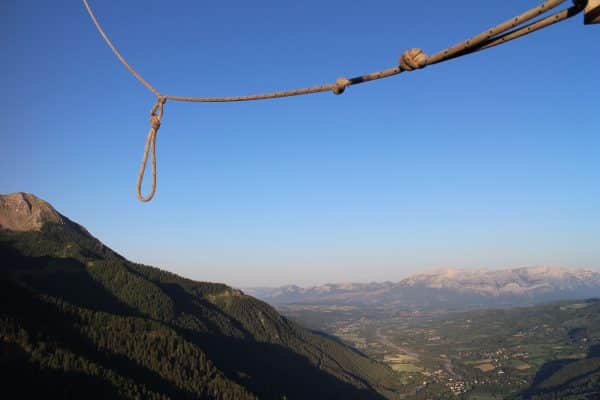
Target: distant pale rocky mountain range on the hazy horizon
[{"x": 453, "y": 288}]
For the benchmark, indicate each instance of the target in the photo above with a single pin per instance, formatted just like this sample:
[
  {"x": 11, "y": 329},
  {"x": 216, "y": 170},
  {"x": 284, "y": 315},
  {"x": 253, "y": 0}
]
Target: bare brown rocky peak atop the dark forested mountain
[{"x": 25, "y": 212}]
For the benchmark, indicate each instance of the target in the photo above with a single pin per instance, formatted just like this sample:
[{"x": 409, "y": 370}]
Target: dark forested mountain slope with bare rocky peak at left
[{"x": 78, "y": 320}]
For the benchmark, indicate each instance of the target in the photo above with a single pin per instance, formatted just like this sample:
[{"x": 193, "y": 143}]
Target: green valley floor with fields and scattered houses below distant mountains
[{"x": 477, "y": 354}]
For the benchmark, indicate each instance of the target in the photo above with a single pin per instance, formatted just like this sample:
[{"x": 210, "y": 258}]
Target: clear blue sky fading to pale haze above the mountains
[{"x": 492, "y": 160}]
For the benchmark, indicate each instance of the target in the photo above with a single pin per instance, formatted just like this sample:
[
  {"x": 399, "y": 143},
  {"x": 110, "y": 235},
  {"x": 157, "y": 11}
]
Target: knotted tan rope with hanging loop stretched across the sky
[{"x": 410, "y": 60}]
